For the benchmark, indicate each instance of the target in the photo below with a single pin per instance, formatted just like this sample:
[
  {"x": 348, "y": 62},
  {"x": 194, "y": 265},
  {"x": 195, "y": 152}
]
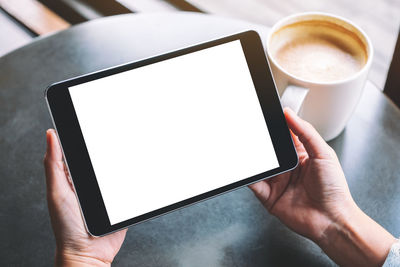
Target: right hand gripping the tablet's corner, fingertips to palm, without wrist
[{"x": 308, "y": 198}]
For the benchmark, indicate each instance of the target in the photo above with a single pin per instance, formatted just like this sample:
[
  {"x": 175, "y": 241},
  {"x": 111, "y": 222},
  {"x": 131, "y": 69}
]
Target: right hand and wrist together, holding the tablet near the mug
[{"x": 314, "y": 200}]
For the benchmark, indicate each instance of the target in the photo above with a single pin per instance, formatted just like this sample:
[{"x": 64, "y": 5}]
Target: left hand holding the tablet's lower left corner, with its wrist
[{"x": 74, "y": 246}]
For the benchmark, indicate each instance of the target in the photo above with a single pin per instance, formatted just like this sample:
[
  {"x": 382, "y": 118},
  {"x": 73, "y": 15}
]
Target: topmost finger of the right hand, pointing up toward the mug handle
[{"x": 308, "y": 136}]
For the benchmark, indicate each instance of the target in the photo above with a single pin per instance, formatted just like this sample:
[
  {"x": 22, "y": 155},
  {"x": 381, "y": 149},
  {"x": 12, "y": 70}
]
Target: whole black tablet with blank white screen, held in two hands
[{"x": 149, "y": 137}]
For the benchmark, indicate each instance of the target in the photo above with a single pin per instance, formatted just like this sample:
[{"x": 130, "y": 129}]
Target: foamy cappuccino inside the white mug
[{"x": 318, "y": 51}]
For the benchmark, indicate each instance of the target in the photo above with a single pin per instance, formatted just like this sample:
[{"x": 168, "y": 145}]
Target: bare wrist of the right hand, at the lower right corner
[{"x": 354, "y": 239}]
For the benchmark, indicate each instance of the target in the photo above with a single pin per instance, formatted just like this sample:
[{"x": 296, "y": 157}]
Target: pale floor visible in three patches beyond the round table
[{"x": 380, "y": 20}]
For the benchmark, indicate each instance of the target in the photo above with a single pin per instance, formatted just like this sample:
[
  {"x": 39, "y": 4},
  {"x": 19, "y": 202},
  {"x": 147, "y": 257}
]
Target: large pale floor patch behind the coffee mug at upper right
[{"x": 379, "y": 19}]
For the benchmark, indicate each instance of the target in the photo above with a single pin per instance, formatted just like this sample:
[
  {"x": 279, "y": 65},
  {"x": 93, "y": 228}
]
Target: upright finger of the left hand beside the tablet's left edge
[{"x": 56, "y": 179}]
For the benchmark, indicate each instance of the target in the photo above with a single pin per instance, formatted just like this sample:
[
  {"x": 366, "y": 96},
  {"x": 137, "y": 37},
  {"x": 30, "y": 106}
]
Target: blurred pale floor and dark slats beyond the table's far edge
[{"x": 23, "y": 20}]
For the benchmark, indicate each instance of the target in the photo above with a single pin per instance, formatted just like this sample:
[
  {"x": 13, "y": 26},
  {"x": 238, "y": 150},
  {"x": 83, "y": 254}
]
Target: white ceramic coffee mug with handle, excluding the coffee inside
[{"x": 326, "y": 105}]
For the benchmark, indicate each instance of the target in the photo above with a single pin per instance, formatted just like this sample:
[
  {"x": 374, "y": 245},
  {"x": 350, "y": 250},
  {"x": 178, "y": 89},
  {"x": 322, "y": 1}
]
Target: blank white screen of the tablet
[{"x": 168, "y": 131}]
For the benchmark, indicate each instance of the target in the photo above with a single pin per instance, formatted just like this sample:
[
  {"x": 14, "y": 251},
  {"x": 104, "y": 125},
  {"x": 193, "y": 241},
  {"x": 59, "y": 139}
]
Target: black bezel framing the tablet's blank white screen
[{"x": 78, "y": 161}]
